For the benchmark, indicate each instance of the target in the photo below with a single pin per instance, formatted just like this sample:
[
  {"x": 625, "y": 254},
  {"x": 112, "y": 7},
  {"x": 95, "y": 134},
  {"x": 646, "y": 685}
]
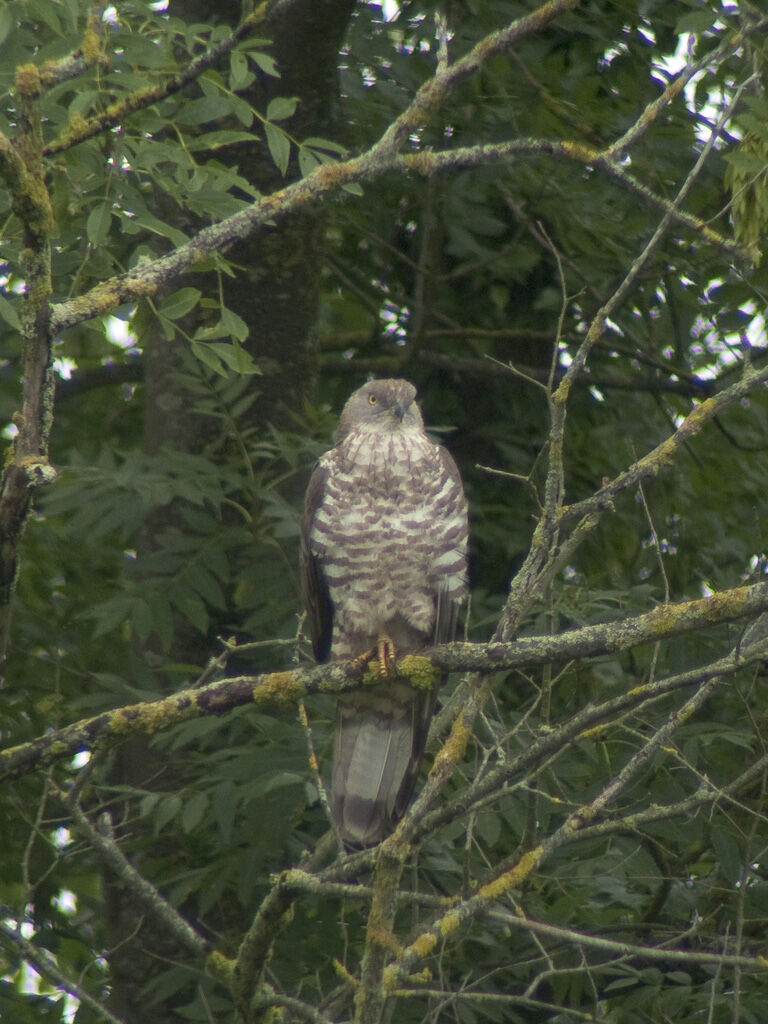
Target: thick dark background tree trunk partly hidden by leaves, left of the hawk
[{"x": 277, "y": 296}]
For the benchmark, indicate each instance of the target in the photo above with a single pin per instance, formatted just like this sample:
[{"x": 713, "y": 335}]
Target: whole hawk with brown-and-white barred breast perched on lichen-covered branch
[{"x": 385, "y": 568}]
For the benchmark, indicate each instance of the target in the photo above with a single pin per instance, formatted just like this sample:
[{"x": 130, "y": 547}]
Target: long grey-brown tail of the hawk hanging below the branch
[{"x": 380, "y": 738}]
